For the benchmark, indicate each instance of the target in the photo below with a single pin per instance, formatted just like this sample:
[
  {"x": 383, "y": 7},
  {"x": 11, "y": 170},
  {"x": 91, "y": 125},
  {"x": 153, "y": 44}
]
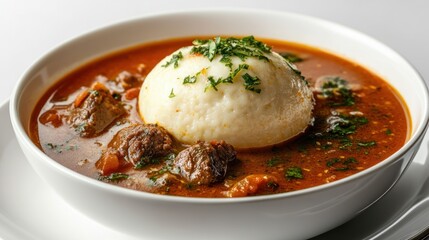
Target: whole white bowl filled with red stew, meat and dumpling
[{"x": 265, "y": 124}]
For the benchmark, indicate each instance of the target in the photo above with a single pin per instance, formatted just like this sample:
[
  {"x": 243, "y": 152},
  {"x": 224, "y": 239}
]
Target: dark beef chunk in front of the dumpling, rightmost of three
[{"x": 204, "y": 163}]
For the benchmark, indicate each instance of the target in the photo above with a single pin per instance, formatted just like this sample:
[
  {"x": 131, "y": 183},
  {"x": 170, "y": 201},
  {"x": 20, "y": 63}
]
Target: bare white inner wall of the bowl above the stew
[{"x": 291, "y": 27}]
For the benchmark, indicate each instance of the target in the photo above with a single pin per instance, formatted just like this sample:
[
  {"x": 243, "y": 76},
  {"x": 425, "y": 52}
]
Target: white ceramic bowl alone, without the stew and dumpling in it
[{"x": 294, "y": 215}]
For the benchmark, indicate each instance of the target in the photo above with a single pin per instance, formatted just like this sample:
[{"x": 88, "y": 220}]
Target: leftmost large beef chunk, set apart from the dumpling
[{"x": 95, "y": 113}]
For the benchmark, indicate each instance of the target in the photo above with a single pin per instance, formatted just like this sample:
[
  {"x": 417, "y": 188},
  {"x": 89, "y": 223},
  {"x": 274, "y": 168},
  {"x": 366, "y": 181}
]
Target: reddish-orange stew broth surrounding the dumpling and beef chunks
[{"x": 354, "y": 127}]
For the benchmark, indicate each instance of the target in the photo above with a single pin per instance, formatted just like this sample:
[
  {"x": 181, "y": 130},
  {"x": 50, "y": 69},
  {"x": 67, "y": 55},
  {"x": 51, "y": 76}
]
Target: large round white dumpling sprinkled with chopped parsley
[{"x": 181, "y": 95}]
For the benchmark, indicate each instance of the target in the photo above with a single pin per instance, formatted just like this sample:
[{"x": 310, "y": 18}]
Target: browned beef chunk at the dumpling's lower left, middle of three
[{"x": 140, "y": 143}]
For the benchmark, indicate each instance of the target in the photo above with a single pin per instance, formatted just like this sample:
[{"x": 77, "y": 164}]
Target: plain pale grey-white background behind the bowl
[{"x": 28, "y": 29}]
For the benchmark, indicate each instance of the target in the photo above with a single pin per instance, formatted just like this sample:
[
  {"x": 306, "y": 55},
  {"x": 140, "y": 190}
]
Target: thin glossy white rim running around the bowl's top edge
[{"x": 24, "y": 139}]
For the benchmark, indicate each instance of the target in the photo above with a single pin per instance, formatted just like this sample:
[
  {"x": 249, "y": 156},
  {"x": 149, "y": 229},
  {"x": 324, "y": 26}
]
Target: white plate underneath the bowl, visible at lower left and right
[{"x": 29, "y": 209}]
